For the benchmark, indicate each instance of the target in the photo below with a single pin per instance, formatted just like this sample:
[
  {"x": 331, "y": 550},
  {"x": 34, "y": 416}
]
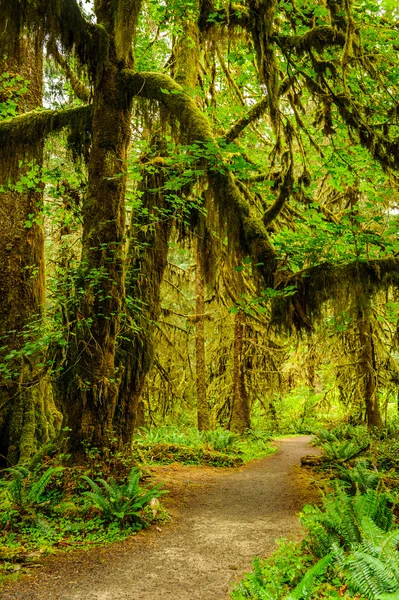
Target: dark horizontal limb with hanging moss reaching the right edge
[{"x": 339, "y": 283}]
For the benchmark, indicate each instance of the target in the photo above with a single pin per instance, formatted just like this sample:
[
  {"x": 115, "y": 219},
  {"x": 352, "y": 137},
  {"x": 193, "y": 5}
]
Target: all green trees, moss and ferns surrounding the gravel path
[{"x": 198, "y": 250}]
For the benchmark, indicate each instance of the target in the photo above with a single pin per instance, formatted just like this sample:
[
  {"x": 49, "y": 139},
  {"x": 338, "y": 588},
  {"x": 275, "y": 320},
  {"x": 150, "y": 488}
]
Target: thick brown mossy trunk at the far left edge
[{"x": 27, "y": 414}]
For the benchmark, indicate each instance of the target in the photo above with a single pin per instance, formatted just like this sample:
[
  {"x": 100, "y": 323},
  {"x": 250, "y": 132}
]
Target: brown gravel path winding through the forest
[{"x": 221, "y": 519}]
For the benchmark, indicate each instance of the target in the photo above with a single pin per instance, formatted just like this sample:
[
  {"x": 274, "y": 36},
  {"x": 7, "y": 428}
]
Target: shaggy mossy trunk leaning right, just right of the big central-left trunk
[{"x": 147, "y": 261}]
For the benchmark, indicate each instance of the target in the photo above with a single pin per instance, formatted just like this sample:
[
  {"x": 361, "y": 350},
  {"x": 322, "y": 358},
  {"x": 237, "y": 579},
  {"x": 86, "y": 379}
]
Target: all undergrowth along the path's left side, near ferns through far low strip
[{"x": 49, "y": 505}]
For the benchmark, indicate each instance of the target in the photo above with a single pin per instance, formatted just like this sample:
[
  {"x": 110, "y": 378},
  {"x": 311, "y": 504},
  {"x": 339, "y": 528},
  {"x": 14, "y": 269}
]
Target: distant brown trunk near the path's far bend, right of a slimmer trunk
[{"x": 240, "y": 418}]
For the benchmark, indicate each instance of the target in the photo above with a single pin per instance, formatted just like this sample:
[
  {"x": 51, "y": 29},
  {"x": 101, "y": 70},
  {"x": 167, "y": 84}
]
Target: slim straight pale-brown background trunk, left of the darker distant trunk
[{"x": 202, "y": 401}]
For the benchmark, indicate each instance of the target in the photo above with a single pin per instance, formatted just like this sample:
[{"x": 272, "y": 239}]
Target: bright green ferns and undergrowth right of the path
[{"x": 350, "y": 549}]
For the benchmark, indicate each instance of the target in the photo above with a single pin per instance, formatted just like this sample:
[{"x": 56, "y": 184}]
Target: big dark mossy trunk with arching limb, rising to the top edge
[{"x": 88, "y": 386}]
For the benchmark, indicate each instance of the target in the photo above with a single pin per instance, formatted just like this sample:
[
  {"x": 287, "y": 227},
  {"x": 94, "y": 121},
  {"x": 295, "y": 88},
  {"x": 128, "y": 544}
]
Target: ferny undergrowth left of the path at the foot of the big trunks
[{"x": 48, "y": 506}]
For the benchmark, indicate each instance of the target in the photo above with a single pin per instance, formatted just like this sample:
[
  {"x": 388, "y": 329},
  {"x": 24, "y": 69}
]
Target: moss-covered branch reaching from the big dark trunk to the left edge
[{"x": 25, "y": 130}]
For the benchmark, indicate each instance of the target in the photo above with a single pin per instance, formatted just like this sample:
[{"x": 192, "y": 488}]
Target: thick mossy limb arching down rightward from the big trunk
[{"x": 249, "y": 233}]
